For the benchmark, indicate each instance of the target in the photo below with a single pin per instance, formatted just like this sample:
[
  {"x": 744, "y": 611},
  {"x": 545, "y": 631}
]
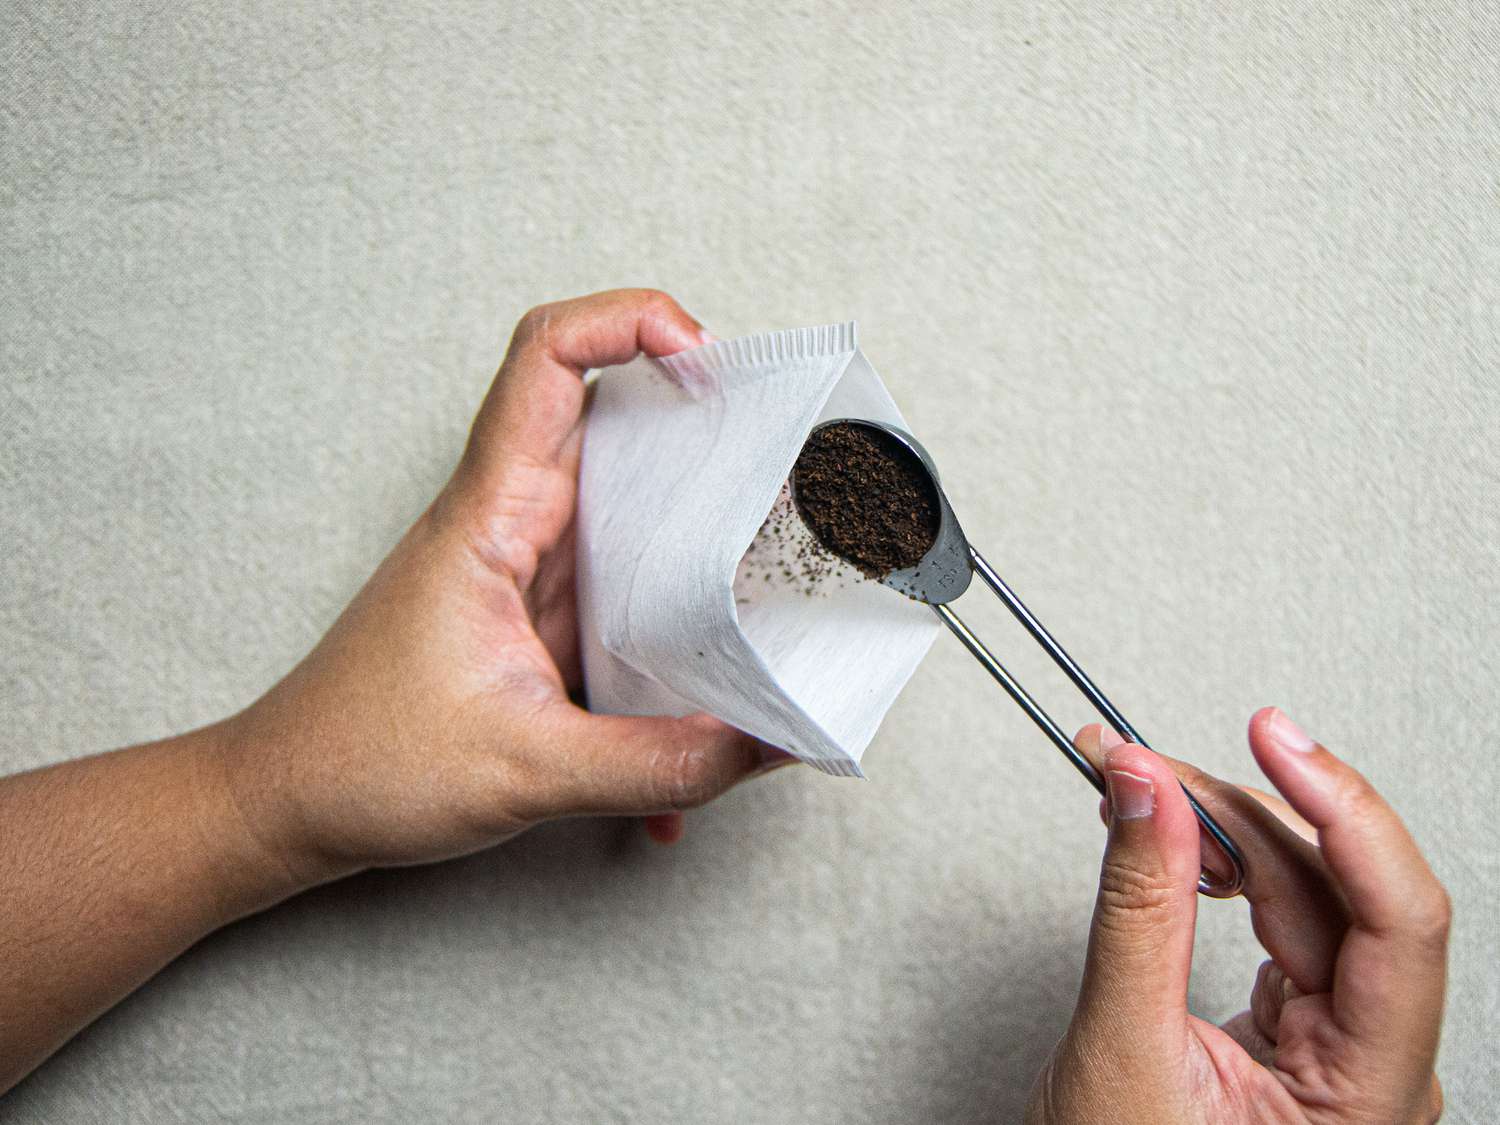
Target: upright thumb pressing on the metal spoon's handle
[{"x": 1135, "y": 995}]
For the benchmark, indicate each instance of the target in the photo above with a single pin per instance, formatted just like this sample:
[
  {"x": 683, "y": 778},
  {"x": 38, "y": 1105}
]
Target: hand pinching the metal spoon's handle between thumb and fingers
[{"x": 1345, "y": 1019}]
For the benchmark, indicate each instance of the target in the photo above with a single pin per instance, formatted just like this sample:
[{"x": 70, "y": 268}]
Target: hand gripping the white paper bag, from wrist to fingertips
[{"x": 436, "y": 716}]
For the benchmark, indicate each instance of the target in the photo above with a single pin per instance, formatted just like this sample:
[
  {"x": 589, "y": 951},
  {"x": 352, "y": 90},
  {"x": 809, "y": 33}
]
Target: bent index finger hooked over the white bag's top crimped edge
[{"x": 538, "y": 395}]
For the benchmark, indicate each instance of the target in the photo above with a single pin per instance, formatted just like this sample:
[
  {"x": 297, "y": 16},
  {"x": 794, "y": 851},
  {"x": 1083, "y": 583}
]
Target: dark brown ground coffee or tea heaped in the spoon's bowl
[{"x": 866, "y": 499}]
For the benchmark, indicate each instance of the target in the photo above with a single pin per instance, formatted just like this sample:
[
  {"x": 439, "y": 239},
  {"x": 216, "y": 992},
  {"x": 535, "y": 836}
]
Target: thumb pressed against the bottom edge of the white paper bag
[{"x": 640, "y": 766}]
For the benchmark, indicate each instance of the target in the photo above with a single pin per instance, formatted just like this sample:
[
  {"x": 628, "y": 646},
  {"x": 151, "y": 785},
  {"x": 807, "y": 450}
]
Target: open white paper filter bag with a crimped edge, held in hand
[{"x": 691, "y": 599}]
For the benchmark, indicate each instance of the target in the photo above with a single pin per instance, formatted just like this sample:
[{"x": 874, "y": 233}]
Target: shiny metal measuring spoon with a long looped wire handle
[{"x": 947, "y": 571}]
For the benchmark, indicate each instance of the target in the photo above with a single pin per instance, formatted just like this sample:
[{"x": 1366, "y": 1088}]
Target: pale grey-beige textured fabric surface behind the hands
[{"x": 1198, "y": 310}]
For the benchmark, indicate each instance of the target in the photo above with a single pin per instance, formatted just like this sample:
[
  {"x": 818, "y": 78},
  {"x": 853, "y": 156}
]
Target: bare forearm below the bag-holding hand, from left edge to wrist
[{"x": 112, "y": 866}]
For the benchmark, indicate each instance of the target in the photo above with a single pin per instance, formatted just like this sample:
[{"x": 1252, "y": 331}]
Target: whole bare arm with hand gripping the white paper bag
[{"x": 433, "y": 721}]
